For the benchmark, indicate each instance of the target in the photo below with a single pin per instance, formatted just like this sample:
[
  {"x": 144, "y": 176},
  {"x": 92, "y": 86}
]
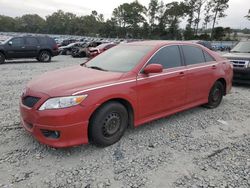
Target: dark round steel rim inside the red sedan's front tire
[{"x": 111, "y": 124}]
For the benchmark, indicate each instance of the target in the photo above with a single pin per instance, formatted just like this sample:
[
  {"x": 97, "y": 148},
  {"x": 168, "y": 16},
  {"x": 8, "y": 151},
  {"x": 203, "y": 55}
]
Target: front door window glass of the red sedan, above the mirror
[{"x": 168, "y": 57}]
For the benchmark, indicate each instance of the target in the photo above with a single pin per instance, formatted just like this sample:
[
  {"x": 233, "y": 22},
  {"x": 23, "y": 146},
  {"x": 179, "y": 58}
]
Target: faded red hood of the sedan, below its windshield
[{"x": 67, "y": 81}]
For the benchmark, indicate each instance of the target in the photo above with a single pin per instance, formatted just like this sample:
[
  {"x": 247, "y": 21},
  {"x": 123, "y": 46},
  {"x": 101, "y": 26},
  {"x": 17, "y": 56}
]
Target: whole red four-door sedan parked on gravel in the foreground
[{"x": 128, "y": 85}]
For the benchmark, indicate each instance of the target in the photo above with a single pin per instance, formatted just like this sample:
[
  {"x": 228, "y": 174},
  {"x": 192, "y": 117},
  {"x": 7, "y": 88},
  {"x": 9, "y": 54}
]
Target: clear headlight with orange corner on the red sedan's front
[{"x": 62, "y": 102}]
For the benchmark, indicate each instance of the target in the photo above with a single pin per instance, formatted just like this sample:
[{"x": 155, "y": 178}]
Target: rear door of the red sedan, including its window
[{"x": 200, "y": 73}]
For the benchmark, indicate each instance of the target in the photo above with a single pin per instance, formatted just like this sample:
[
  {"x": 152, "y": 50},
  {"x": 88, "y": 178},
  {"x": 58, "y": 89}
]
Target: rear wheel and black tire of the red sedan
[{"x": 215, "y": 95}]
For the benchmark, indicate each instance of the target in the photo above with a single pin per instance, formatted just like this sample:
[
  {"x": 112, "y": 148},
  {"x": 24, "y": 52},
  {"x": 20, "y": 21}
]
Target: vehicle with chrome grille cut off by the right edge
[{"x": 239, "y": 56}]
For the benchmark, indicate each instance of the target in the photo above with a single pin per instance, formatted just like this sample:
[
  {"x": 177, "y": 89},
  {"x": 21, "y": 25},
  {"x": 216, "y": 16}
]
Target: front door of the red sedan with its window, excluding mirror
[{"x": 166, "y": 91}]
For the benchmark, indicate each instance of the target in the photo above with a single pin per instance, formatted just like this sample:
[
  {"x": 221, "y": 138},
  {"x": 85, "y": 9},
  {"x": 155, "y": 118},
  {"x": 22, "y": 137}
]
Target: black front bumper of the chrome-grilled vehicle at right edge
[{"x": 241, "y": 75}]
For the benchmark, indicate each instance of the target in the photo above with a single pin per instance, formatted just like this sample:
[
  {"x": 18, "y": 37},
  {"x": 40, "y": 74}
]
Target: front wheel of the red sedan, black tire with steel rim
[{"x": 108, "y": 124}]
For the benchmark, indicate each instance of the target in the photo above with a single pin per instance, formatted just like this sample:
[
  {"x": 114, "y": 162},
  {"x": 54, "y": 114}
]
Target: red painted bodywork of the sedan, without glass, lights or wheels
[{"x": 152, "y": 95}]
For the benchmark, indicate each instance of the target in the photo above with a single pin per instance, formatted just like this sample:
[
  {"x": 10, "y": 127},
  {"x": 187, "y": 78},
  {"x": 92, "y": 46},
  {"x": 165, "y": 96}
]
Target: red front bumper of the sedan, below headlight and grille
[{"x": 71, "y": 123}]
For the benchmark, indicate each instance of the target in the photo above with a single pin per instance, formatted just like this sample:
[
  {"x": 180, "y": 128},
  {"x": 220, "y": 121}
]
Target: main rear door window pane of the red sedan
[{"x": 193, "y": 55}]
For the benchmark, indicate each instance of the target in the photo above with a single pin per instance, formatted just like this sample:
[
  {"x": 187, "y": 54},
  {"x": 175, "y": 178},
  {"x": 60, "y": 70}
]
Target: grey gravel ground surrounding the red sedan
[{"x": 194, "y": 148}]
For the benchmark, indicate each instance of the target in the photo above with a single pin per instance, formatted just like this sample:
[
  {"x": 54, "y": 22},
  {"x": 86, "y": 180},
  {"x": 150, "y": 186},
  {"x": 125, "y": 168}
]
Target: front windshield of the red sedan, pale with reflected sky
[{"x": 122, "y": 58}]
